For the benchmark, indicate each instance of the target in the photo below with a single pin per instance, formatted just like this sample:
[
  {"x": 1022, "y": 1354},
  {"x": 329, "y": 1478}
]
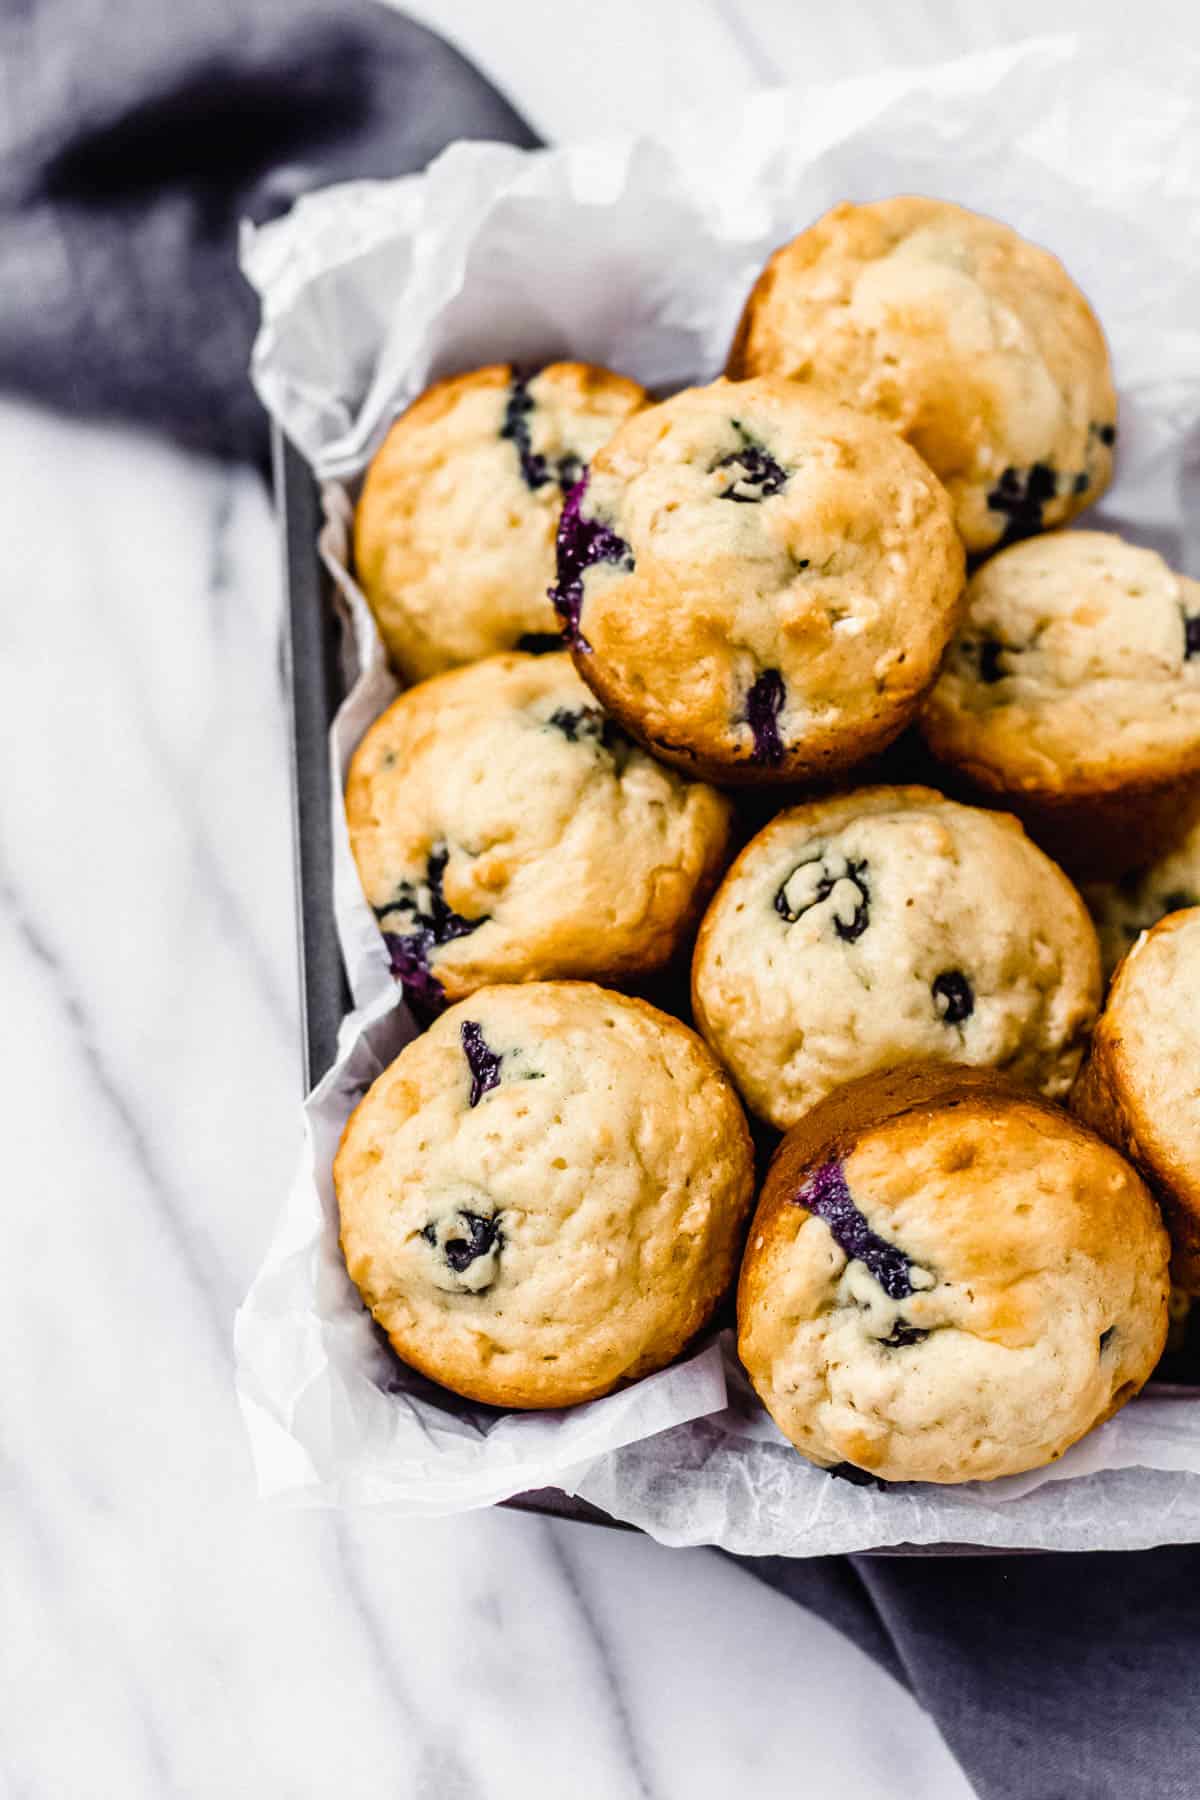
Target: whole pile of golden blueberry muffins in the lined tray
[{"x": 789, "y": 681}]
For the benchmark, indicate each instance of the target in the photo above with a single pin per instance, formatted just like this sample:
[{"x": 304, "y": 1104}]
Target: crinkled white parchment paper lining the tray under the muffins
[{"x": 640, "y": 255}]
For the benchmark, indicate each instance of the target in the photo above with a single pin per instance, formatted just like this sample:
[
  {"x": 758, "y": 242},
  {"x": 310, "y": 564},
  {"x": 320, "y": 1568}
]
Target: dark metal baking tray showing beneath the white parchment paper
[{"x": 314, "y": 681}]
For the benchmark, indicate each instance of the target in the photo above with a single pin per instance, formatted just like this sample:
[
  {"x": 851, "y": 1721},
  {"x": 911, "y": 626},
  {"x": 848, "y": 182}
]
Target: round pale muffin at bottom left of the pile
[{"x": 546, "y": 1194}]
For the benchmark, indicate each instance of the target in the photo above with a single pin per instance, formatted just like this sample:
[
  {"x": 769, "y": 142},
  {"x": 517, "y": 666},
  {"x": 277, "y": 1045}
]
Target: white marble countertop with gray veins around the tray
[{"x": 165, "y": 1633}]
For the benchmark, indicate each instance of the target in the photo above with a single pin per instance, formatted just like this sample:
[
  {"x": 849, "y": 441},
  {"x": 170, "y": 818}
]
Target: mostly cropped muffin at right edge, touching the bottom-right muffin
[{"x": 1142, "y": 1083}]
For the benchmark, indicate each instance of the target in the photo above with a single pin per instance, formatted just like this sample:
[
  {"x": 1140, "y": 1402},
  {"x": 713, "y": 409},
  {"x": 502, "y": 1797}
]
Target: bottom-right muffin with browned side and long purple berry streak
[{"x": 949, "y": 1281}]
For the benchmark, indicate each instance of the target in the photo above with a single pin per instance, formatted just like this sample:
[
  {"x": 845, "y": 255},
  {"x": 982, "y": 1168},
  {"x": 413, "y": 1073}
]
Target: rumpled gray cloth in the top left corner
[{"x": 134, "y": 138}]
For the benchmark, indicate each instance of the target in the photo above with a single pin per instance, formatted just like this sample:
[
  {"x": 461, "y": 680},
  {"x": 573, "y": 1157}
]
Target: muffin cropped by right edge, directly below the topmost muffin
[{"x": 1073, "y": 696}]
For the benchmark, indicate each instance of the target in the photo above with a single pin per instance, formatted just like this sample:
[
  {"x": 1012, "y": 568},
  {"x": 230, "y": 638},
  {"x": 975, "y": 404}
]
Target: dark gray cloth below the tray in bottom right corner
[{"x": 1050, "y": 1677}]
